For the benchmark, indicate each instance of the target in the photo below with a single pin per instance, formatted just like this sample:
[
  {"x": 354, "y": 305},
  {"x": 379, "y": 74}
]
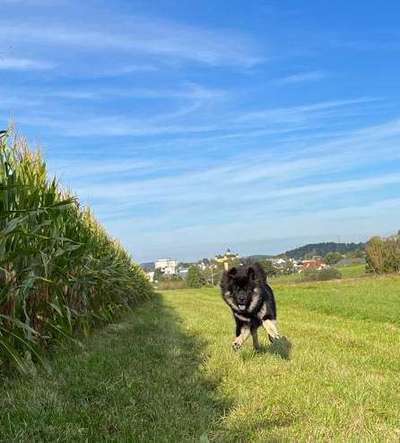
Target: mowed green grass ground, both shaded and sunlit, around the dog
[{"x": 167, "y": 374}]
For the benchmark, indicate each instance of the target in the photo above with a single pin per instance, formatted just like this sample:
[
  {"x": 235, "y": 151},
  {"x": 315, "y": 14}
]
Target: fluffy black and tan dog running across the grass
[{"x": 245, "y": 290}]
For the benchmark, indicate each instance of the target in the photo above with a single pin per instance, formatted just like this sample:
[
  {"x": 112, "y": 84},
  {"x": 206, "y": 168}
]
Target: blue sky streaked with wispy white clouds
[{"x": 193, "y": 126}]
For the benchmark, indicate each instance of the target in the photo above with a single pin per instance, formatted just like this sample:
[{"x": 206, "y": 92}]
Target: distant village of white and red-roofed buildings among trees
[{"x": 169, "y": 268}]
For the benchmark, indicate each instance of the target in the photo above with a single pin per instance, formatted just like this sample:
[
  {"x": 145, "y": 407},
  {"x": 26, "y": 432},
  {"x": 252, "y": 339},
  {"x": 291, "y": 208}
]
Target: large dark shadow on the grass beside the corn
[{"x": 135, "y": 381}]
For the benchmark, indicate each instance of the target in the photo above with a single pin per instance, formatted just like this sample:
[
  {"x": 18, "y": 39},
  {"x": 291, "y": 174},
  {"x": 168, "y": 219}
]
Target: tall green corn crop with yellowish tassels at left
[{"x": 60, "y": 273}]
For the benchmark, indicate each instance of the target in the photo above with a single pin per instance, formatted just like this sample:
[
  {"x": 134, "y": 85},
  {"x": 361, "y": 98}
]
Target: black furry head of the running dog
[{"x": 239, "y": 283}]
